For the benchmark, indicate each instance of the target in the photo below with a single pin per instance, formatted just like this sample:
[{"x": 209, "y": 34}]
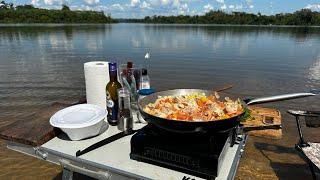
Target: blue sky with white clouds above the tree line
[{"x": 141, "y": 8}]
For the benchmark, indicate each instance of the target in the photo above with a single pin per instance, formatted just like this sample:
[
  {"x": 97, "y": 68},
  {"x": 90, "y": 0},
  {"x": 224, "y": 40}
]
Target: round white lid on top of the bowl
[{"x": 78, "y": 116}]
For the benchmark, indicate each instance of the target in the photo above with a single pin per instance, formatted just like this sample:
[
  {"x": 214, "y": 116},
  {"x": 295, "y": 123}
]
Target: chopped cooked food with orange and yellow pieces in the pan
[{"x": 194, "y": 107}]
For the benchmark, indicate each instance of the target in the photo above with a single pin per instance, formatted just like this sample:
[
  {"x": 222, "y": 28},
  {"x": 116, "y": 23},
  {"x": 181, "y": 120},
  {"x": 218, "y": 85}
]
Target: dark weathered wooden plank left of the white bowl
[{"x": 33, "y": 129}]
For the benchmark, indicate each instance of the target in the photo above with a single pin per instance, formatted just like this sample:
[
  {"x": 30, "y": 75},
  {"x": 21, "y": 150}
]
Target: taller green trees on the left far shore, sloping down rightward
[{"x": 29, "y": 14}]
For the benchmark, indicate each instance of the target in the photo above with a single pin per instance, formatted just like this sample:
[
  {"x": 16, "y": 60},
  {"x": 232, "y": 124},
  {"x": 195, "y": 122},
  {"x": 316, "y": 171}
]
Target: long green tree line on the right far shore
[{"x": 301, "y": 17}]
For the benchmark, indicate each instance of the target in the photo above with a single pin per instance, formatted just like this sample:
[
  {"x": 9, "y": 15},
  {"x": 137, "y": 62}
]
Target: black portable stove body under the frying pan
[{"x": 200, "y": 155}]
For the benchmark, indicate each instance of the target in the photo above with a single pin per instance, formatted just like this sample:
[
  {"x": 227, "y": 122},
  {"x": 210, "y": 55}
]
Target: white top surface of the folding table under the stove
[{"x": 116, "y": 156}]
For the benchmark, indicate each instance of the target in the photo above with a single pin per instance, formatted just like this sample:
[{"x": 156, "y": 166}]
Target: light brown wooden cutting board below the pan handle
[{"x": 260, "y": 117}]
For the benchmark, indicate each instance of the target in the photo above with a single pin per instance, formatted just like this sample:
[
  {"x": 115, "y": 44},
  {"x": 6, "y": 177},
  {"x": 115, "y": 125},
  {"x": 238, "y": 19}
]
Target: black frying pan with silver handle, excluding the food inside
[{"x": 177, "y": 126}]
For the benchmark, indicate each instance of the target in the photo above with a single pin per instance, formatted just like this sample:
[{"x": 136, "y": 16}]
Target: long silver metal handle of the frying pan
[{"x": 278, "y": 98}]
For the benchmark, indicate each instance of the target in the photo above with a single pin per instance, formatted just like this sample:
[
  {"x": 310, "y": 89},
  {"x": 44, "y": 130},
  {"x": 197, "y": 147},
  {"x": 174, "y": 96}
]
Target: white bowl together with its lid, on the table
[{"x": 79, "y": 121}]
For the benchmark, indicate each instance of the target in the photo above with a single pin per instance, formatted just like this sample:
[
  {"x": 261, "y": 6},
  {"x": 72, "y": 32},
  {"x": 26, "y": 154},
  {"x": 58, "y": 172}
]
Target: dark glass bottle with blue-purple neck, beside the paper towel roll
[{"x": 112, "y": 95}]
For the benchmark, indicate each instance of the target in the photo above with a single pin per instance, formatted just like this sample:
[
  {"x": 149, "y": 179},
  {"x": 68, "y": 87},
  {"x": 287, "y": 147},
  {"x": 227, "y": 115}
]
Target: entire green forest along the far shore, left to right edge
[{"x": 30, "y": 14}]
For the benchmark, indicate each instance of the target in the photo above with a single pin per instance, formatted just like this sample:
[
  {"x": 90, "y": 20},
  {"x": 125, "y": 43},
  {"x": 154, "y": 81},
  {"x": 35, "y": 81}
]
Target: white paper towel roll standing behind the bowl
[{"x": 96, "y": 76}]
